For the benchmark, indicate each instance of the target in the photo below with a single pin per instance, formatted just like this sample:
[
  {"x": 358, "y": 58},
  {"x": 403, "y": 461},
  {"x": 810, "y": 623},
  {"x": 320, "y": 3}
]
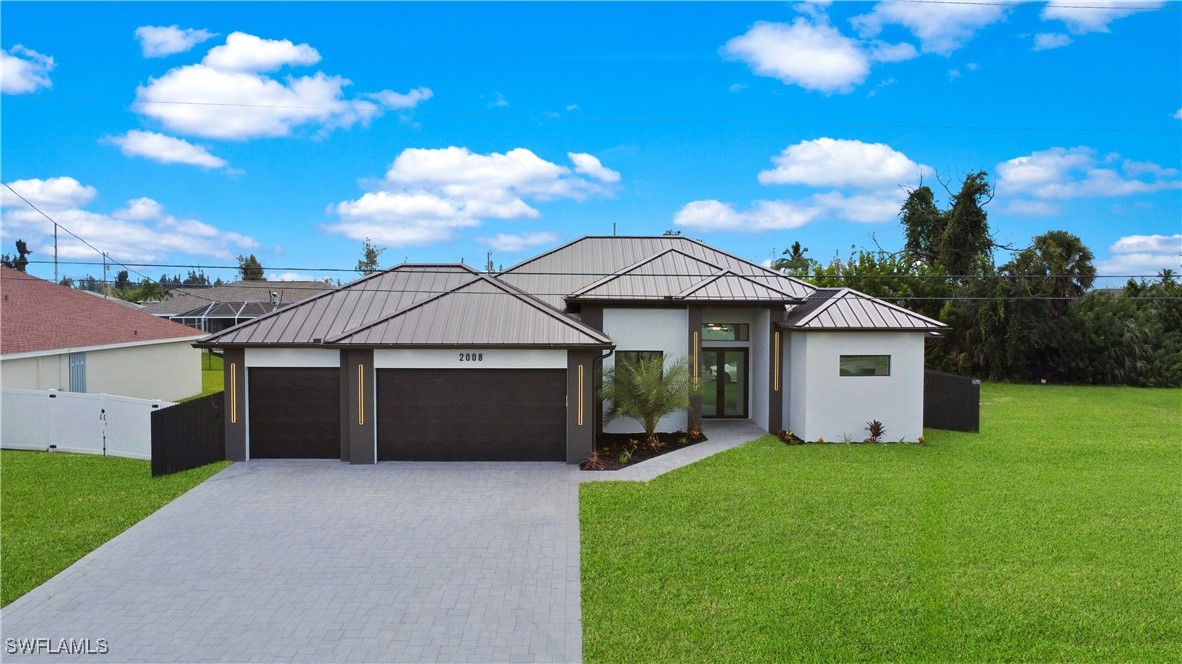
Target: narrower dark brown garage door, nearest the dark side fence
[{"x": 295, "y": 413}]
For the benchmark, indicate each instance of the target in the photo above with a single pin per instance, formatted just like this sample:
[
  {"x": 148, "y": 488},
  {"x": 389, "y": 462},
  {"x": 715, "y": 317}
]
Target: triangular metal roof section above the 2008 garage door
[{"x": 483, "y": 313}]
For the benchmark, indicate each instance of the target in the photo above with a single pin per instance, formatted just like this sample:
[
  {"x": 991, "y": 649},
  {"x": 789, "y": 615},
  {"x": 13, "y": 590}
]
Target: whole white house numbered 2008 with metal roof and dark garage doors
[{"x": 440, "y": 362}]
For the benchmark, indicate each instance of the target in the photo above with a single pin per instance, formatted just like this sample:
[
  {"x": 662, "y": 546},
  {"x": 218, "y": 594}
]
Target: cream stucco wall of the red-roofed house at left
[{"x": 165, "y": 372}]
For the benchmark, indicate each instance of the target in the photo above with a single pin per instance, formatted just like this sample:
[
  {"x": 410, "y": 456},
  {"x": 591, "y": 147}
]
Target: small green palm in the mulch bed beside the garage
[{"x": 648, "y": 389}]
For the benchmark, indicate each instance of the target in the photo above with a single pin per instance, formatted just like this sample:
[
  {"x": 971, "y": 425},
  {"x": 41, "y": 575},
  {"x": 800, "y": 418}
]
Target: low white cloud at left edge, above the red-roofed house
[{"x": 141, "y": 231}]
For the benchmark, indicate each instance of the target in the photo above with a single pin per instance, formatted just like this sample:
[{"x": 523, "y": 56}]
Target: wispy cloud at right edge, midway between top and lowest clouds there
[{"x": 1063, "y": 173}]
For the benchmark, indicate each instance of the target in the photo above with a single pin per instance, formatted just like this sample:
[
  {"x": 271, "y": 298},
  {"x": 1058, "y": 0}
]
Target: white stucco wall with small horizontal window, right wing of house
[{"x": 826, "y": 405}]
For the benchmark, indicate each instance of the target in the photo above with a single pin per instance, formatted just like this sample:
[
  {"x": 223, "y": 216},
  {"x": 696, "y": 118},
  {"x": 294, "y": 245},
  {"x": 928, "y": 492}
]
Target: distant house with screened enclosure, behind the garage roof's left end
[{"x": 213, "y": 309}]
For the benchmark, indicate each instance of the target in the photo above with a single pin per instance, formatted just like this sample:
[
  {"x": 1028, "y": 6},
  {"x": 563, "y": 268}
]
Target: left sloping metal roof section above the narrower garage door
[{"x": 354, "y": 305}]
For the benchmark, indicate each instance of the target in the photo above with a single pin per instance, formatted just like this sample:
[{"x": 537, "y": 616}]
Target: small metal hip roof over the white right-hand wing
[{"x": 846, "y": 309}]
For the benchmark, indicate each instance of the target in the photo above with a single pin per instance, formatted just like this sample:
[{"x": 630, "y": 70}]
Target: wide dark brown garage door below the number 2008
[{"x": 484, "y": 415}]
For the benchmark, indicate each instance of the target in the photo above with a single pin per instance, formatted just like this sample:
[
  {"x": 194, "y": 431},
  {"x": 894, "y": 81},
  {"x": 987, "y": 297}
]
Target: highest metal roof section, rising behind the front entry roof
[{"x": 583, "y": 263}]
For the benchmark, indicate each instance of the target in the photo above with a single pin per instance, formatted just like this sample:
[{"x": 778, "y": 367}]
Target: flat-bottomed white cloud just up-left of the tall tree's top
[{"x": 839, "y": 162}]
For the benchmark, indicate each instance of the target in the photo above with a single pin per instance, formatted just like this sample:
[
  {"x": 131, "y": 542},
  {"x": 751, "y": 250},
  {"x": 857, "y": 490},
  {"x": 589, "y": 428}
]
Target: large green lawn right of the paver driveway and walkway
[{"x": 1055, "y": 535}]
